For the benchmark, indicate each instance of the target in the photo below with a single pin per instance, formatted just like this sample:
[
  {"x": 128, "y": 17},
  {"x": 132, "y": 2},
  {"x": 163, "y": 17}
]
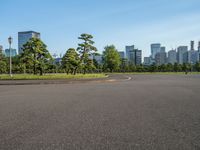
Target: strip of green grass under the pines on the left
[{"x": 50, "y": 76}]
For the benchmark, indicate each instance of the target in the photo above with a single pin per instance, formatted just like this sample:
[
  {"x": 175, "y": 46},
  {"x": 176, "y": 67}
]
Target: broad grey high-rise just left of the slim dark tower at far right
[{"x": 182, "y": 54}]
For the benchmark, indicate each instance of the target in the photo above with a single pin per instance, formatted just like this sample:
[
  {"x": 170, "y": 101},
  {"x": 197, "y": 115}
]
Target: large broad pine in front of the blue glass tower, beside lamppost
[{"x": 35, "y": 55}]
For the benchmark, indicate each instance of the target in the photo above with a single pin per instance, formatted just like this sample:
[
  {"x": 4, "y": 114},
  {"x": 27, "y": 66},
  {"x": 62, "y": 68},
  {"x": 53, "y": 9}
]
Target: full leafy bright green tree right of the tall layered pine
[{"x": 111, "y": 58}]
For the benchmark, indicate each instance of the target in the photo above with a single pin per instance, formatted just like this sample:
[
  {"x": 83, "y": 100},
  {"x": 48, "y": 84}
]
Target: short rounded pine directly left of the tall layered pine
[{"x": 70, "y": 60}]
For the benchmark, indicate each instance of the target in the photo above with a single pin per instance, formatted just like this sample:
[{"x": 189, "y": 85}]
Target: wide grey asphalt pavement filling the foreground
[{"x": 149, "y": 112}]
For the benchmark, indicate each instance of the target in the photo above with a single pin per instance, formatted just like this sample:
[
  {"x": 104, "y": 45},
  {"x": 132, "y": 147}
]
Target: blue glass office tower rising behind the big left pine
[{"x": 24, "y": 37}]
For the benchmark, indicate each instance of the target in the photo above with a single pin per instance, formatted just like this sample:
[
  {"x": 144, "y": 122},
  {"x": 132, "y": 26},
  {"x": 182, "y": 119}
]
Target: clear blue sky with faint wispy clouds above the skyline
[{"x": 119, "y": 22}]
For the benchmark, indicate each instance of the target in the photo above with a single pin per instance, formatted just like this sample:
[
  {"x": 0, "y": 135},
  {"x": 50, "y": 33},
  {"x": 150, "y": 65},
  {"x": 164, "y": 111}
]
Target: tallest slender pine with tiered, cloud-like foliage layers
[{"x": 85, "y": 50}]
